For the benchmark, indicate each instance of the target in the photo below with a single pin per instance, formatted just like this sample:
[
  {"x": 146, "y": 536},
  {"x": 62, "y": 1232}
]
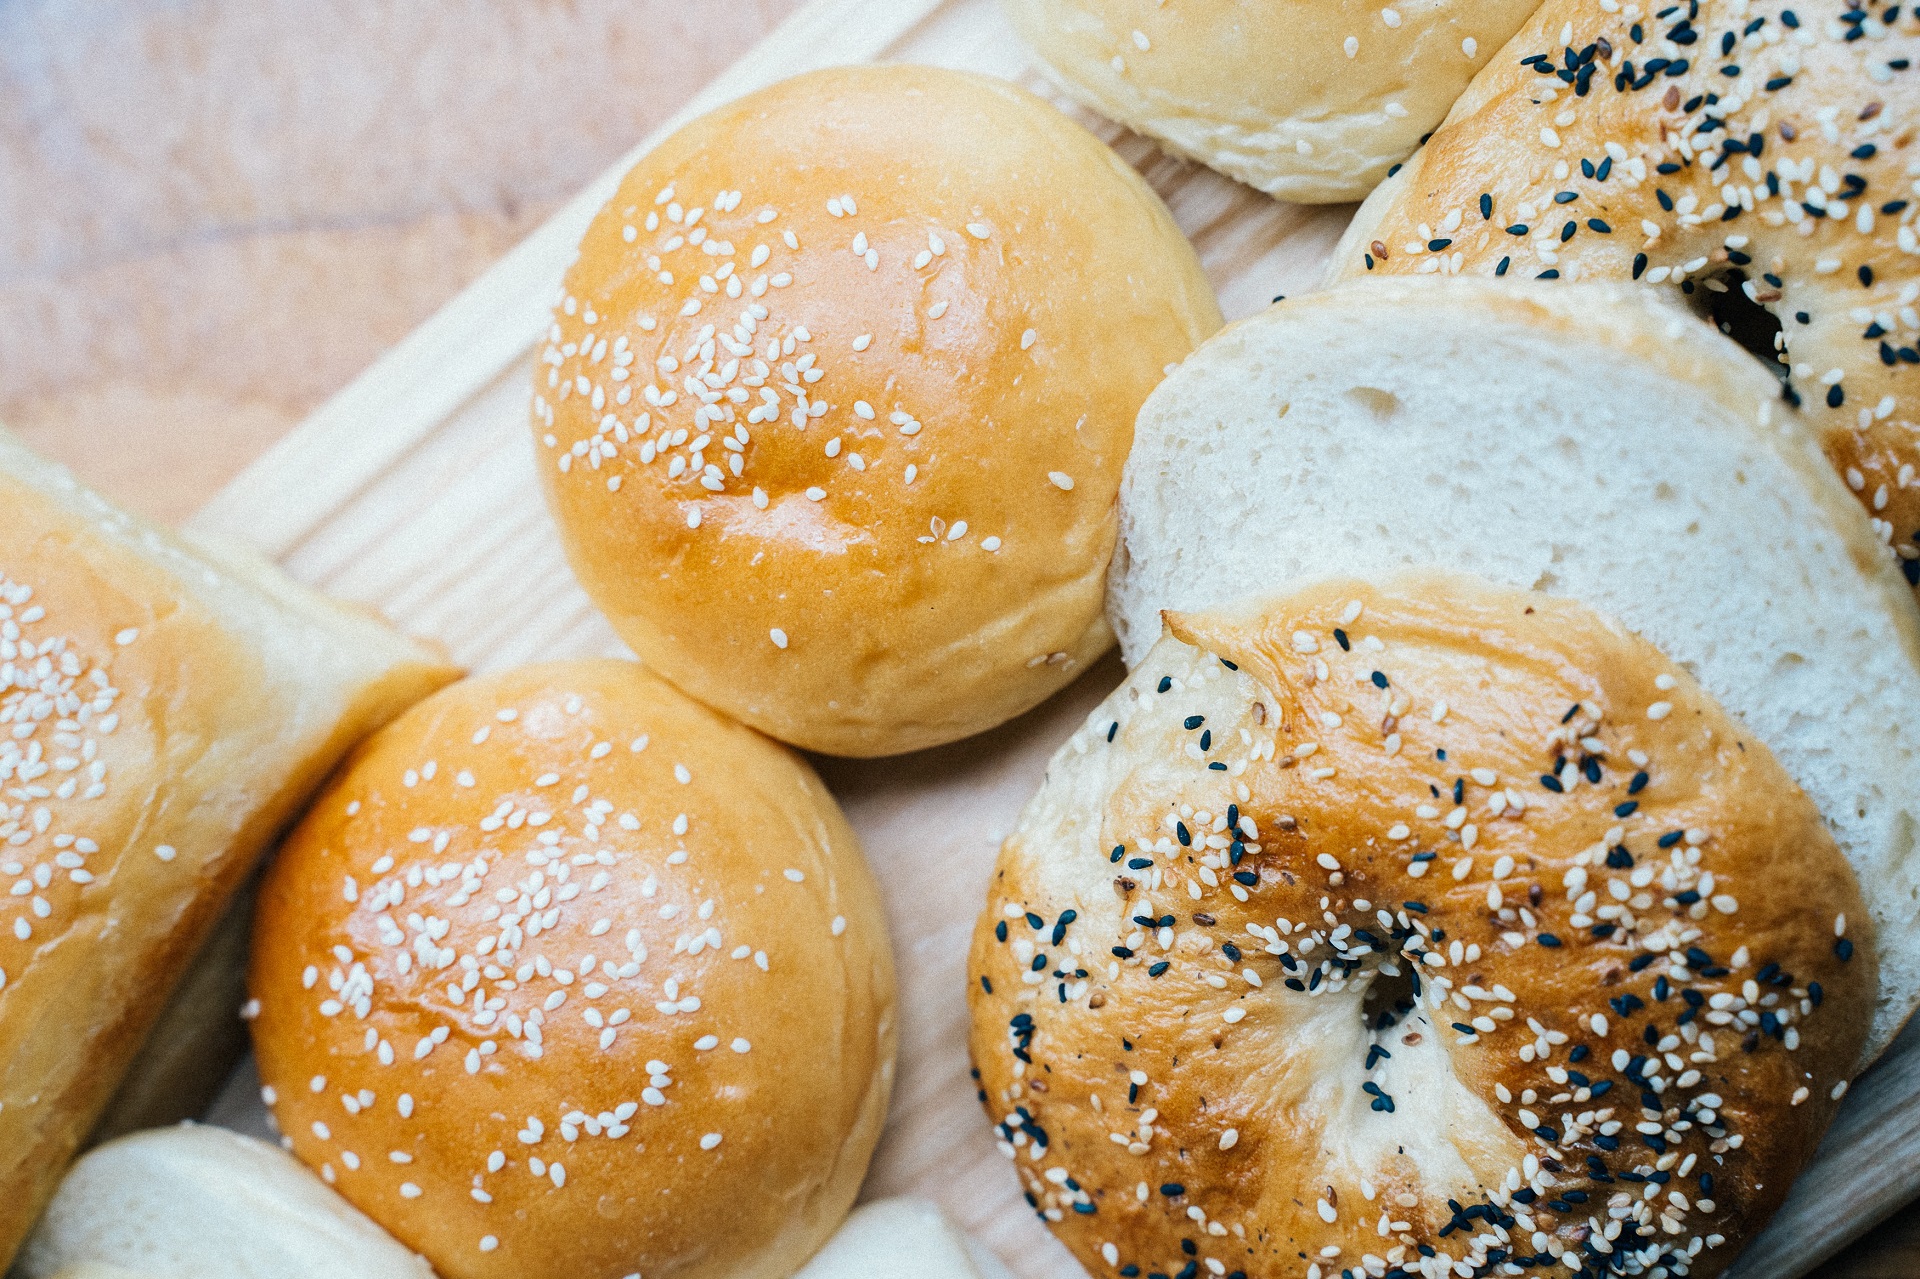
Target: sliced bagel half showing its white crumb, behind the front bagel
[{"x": 1575, "y": 441}]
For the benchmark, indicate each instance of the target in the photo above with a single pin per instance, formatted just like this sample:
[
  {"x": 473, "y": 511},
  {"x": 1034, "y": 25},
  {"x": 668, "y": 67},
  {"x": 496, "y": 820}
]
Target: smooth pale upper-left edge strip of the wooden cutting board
[{"x": 327, "y": 460}]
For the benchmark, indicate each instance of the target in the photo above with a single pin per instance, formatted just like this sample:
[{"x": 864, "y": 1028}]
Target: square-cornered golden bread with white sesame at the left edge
[{"x": 176, "y": 712}]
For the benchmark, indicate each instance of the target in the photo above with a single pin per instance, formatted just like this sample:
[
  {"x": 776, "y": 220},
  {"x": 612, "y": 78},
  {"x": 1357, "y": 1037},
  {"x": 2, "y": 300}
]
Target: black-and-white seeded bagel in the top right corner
[{"x": 1758, "y": 147}]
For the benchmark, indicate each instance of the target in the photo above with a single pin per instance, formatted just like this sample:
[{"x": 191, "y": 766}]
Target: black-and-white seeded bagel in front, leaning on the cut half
[{"x": 1416, "y": 929}]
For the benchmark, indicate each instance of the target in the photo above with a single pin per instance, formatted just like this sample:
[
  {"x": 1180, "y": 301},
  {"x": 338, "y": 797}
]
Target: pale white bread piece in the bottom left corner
[{"x": 203, "y": 1203}]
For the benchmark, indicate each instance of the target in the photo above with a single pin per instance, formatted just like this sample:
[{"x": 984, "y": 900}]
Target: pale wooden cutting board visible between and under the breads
[{"x": 414, "y": 493}]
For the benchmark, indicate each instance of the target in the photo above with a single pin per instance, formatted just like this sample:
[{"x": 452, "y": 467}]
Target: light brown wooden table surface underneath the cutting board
[{"x": 216, "y": 212}]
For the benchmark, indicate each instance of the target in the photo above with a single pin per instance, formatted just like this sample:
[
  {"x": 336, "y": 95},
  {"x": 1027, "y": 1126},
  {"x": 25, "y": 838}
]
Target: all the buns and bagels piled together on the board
[{"x": 1499, "y": 859}]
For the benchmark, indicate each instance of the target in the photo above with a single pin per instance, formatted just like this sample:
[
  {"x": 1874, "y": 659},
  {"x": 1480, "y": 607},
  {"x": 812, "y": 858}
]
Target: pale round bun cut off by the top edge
[{"x": 1308, "y": 103}]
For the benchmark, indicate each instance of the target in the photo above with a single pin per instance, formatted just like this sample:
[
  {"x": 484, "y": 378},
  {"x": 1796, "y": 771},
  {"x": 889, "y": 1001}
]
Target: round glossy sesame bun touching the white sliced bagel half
[{"x": 974, "y": 333}]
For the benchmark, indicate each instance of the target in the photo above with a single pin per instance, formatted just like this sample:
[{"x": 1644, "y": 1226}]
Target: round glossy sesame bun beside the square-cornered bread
[{"x": 571, "y": 977}]
